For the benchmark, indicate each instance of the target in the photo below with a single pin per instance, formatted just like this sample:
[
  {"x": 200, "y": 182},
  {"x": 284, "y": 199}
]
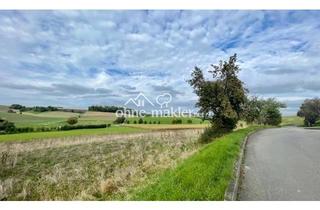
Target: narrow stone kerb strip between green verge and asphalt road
[{"x": 231, "y": 192}]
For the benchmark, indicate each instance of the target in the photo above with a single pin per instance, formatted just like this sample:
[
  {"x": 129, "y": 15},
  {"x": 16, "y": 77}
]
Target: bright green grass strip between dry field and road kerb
[{"x": 203, "y": 176}]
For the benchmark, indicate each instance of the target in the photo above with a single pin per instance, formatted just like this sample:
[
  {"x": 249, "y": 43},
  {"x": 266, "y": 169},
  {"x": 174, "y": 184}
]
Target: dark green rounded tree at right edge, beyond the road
[{"x": 310, "y": 110}]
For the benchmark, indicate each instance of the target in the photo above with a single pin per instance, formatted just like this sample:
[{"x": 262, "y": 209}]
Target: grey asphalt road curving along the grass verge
[{"x": 282, "y": 164}]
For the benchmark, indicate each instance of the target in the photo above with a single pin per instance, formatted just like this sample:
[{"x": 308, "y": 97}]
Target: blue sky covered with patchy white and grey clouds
[{"x": 80, "y": 58}]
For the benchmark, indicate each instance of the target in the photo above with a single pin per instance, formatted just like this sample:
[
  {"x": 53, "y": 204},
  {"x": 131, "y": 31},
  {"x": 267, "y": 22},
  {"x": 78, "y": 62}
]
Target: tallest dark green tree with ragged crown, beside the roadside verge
[{"x": 221, "y": 98}]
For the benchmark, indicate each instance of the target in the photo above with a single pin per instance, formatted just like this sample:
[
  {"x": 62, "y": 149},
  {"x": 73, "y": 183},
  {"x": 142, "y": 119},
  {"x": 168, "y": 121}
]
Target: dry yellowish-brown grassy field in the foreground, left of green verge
[{"x": 90, "y": 167}]
